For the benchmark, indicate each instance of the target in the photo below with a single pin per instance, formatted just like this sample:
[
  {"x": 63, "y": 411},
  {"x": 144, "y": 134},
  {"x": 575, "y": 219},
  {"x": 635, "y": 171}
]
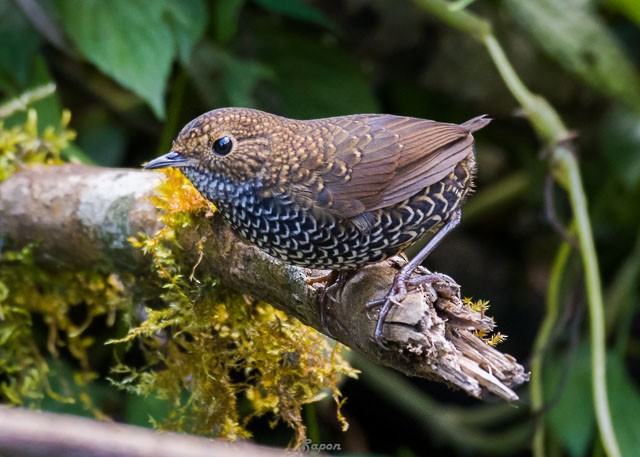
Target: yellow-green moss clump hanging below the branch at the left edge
[{"x": 51, "y": 298}]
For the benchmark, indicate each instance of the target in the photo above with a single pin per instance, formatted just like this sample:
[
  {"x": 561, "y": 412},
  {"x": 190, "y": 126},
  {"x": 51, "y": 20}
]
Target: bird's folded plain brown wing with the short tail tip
[{"x": 374, "y": 161}]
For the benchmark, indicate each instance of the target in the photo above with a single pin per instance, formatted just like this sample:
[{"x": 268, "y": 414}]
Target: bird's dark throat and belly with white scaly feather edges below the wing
[{"x": 312, "y": 239}]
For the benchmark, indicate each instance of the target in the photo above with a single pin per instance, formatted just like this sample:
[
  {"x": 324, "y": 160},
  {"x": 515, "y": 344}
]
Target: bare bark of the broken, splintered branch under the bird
[{"x": 82, "y": 216}]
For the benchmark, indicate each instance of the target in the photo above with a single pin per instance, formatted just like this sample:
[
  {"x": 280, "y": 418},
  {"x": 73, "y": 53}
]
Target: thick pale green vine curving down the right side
[{"x": 564, "y": 167}]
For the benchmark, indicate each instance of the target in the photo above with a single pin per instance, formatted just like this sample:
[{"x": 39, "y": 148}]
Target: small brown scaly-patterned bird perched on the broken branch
[{"x": 335, "y": 193}]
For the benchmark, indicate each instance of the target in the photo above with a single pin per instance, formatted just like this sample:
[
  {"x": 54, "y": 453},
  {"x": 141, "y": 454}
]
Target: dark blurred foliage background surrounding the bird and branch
[{"x": 316, "y": 59}]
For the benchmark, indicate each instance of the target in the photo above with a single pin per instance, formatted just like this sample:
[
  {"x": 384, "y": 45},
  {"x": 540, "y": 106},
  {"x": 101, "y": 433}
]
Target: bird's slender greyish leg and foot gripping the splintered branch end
[{"x": 399, "y": 288}]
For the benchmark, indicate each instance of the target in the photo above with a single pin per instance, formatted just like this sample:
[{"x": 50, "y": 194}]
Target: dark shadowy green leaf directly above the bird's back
[{"x": 312, "y": 77}]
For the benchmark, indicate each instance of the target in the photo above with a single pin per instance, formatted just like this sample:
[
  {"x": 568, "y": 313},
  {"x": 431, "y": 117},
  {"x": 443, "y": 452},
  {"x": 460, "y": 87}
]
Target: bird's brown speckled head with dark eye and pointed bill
[{"x": 232, "y": 142}]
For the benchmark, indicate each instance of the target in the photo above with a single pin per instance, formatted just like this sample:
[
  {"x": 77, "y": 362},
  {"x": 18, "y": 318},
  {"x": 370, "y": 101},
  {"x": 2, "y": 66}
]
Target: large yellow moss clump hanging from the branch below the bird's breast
[{"x": 220, "y": 350}]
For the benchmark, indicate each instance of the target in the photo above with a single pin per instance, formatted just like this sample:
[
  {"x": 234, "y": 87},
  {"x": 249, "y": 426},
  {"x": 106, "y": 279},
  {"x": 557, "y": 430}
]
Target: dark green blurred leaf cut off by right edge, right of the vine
[{"x": 620, "y": 143}]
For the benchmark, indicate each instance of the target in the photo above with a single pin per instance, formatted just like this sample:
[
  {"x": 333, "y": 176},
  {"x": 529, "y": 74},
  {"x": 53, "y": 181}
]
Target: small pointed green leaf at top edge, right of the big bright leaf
[{"x": 188, "y": 20}]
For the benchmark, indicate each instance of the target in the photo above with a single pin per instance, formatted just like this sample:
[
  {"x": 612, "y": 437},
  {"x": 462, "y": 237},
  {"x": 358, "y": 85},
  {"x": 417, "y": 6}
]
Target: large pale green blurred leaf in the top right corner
[{"x": 573, "y": 34}]
